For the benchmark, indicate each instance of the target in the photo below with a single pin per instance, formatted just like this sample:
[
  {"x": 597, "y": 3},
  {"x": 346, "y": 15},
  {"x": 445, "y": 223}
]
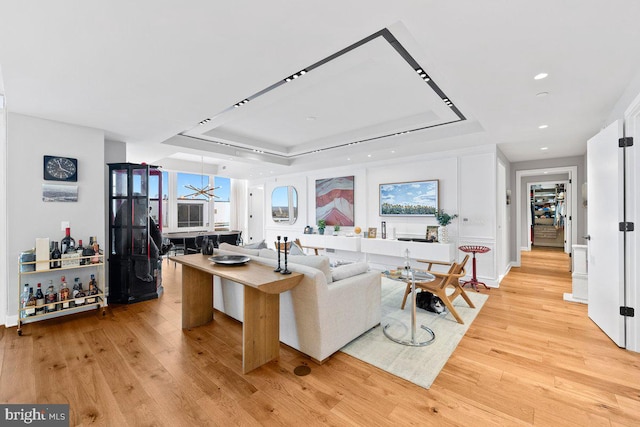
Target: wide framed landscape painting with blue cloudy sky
[{"x": 417, "y": 198}]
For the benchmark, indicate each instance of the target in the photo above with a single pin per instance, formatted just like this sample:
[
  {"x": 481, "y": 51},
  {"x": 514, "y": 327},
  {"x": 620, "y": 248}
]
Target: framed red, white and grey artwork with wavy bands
[{"x": 334, "y": 200}]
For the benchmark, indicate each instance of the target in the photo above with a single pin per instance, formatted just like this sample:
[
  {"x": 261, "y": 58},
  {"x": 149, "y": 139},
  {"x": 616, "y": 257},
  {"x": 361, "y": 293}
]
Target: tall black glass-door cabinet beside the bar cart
[{"x": 135, "y": 265}]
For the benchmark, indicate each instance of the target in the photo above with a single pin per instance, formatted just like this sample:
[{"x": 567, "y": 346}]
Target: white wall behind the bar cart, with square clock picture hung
[{"x": 28, "y": 217}]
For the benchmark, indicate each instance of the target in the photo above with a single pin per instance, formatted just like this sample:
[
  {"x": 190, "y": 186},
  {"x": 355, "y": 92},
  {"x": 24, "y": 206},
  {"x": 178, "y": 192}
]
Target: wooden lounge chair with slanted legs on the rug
[{"x": 443, "y": 281}]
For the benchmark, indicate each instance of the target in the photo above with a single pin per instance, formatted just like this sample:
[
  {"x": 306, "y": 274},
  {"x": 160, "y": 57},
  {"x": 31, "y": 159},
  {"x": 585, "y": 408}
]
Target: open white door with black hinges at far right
[{"x": 605, "y": 174}]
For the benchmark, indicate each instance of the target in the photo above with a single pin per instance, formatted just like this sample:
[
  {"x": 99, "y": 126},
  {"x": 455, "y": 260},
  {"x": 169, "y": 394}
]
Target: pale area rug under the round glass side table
[{"x": 420, "y": 365}]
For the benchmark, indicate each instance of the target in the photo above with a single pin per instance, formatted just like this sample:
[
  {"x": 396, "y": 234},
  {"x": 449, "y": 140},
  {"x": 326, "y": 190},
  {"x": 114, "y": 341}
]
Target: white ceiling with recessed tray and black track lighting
[{"x": 149, "y": 72}]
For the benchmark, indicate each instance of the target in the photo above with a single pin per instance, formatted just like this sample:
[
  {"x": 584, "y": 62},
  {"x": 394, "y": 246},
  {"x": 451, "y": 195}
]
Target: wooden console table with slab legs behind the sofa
[{"x": 262, "y": 286}]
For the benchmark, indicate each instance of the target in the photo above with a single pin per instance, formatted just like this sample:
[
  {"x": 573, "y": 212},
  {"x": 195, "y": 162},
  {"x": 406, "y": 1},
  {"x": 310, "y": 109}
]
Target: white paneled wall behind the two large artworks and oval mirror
[{"x": 467, "y": 186}]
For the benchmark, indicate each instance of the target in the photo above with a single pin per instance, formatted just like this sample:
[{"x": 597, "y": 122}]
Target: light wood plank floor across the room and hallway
[{"x": 528, "y": 359}]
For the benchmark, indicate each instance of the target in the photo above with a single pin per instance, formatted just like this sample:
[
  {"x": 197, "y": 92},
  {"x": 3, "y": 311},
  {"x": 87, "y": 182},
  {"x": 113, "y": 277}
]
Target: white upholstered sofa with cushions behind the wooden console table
[{"x": 320, "y": 315}]
